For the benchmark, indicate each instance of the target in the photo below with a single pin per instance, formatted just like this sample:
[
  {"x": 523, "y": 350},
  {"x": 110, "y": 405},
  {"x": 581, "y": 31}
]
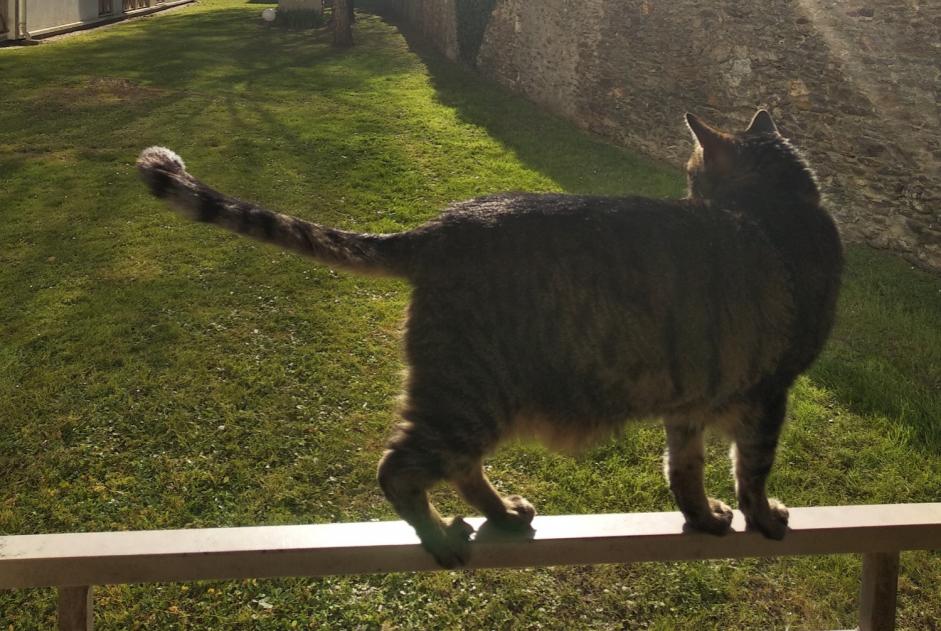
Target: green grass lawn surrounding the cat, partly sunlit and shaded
[{"x": 156, "y": 373}]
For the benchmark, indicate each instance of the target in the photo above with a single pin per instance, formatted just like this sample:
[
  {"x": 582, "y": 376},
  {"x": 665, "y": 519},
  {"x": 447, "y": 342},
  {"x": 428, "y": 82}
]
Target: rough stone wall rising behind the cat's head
[{"x": 856, "y": 85}]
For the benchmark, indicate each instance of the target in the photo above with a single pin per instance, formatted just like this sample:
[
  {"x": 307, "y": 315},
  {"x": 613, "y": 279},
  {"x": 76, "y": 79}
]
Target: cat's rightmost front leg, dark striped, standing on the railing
[{"x": 755, "y": 442}]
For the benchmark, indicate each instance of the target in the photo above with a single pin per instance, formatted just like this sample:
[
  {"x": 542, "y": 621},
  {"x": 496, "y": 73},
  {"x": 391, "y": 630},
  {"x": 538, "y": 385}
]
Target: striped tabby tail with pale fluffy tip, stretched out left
[{"x": 166, "y": 175}]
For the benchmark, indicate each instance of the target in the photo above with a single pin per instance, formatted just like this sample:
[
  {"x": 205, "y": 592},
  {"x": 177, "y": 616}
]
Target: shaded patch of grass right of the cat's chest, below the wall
[{"x": 884, "y": 357}]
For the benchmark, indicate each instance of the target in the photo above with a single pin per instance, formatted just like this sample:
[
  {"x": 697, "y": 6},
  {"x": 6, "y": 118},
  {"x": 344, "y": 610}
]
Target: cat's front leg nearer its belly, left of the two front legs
[{"x": 683, "y": 465}]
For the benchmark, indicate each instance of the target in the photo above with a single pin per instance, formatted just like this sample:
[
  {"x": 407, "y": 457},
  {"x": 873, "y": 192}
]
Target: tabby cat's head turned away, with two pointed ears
[{"x": 754, "y": 165}]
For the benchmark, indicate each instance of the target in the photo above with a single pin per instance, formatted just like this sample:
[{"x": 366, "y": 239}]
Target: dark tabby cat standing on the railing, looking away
[{"x": 564, "y": 316}]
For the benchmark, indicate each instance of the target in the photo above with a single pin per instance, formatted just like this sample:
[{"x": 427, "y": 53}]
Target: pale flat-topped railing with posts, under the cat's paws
[{"x": 76, "y": 562}]
